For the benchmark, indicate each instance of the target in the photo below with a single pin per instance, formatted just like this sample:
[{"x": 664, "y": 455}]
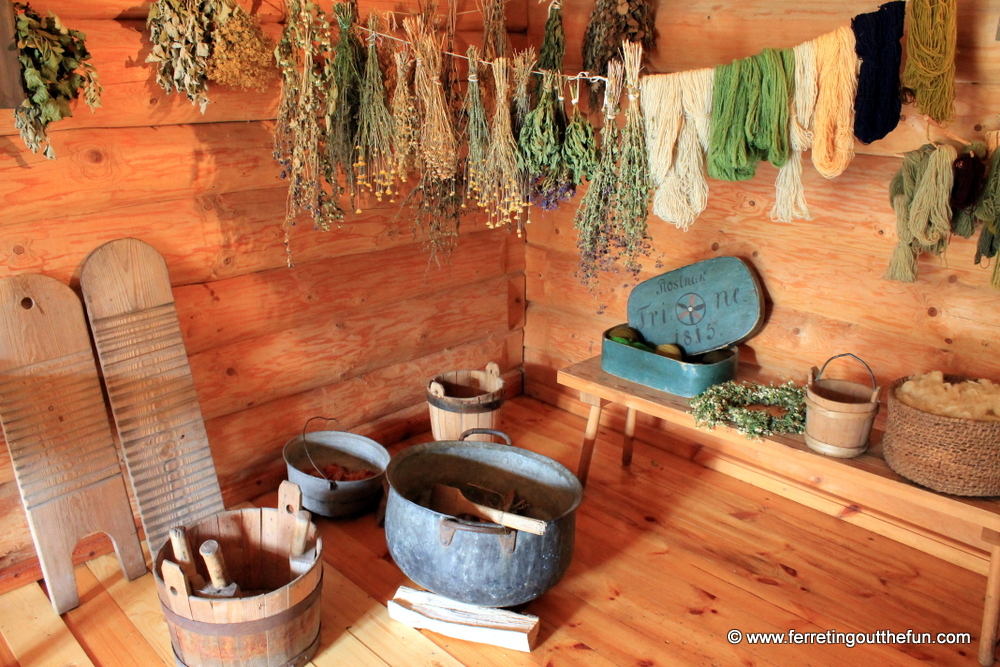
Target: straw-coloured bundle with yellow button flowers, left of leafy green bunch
[{"x": 503, "y": 192}]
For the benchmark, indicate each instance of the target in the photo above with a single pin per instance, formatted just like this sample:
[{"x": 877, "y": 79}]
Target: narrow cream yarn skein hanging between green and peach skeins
[{"x": 790, "y": 196}]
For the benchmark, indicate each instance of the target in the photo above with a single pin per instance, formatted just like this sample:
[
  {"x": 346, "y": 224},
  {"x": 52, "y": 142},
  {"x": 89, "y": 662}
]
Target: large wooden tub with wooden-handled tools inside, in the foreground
[{"x": 276, "y": 620}]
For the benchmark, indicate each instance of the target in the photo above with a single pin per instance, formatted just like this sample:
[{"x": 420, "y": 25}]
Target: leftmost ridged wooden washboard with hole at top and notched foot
[{"x": 56, "y": 425}]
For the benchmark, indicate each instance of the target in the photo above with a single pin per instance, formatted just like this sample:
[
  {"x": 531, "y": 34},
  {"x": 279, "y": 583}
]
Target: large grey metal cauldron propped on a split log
[{"x": 472, "y": 562}]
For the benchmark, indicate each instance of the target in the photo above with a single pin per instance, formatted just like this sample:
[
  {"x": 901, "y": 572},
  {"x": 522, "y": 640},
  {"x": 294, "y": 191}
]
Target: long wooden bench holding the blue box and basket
[{"x": 963, "y": 530}]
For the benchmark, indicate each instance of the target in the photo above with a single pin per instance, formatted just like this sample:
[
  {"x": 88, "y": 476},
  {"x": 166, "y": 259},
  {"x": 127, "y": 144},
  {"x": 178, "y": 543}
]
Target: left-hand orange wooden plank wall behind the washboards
[{"x": 353, "y": 331}]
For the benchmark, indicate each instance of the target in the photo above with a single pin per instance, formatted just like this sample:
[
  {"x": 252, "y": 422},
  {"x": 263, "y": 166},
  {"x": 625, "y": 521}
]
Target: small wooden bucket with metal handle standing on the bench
[{"x": 839, "y": 414}]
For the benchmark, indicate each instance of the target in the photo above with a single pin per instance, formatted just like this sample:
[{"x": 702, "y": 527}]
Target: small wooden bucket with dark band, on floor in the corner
[{"x": 463, "y": 400}]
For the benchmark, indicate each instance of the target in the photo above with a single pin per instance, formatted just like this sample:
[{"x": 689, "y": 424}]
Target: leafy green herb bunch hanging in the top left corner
[{"x": 54, "y": 69}]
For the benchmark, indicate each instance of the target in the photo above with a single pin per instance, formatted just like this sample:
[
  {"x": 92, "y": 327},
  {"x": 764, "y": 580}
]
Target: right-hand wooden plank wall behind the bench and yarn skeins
[{"x": 823, "y": 277}]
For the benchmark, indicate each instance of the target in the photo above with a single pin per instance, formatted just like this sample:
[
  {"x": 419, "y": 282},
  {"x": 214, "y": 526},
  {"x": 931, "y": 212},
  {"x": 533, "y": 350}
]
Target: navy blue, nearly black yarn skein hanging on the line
[{"x": 878, "y": 102}]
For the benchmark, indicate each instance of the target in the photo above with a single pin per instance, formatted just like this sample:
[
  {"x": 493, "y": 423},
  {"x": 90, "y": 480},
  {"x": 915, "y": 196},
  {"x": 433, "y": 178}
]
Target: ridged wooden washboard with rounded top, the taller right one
[{"x": 131, "y": 309}]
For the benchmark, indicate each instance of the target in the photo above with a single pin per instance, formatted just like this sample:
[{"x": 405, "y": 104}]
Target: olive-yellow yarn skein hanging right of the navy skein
[{"x": 930, "y": 56}]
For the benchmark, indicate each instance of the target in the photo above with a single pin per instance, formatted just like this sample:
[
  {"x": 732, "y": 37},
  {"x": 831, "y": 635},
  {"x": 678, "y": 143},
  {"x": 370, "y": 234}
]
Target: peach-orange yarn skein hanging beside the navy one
[{"x": 837, "y": 73}]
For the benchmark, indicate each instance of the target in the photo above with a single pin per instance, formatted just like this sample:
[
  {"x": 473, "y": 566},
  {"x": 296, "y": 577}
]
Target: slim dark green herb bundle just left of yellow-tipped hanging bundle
[{"x": 348, "y": 56}]
